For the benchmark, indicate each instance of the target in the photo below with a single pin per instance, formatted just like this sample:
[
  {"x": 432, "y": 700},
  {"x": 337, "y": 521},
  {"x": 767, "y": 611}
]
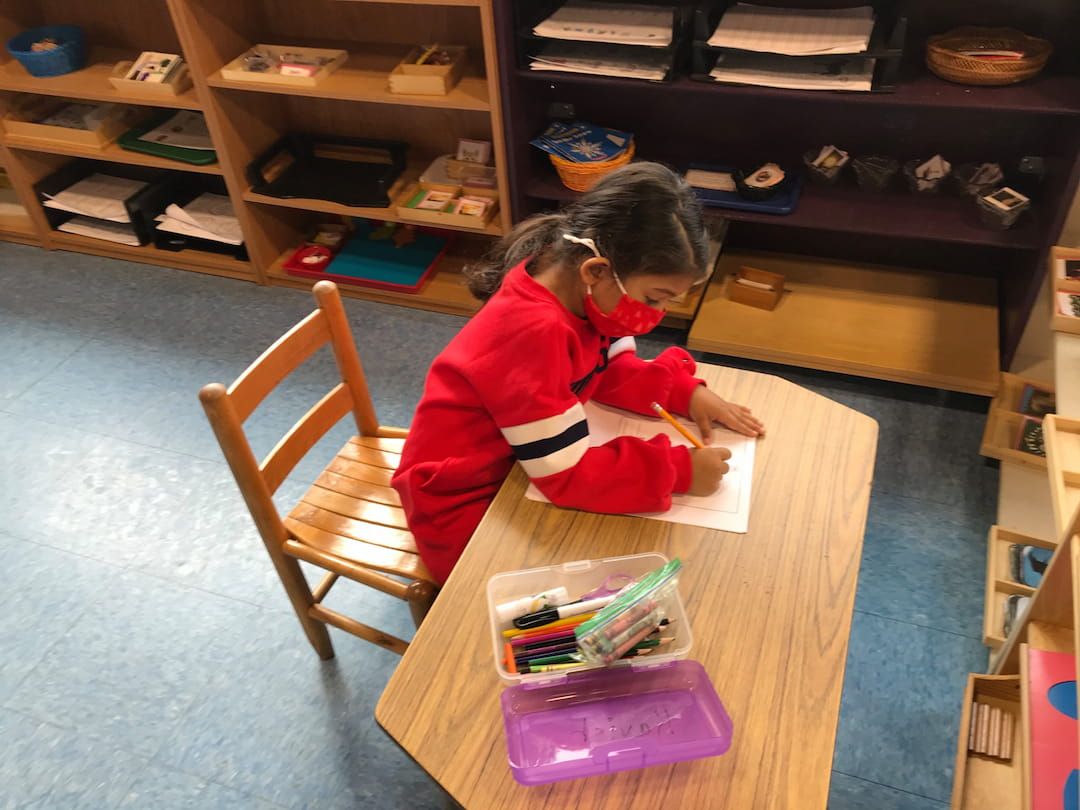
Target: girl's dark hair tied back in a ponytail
[{"x": 643, "y": 218}]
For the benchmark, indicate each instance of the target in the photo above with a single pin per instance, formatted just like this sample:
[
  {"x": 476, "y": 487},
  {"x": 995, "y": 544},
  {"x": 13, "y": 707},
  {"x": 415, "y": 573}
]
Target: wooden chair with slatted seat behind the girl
[{"x": 350, "y": 523}]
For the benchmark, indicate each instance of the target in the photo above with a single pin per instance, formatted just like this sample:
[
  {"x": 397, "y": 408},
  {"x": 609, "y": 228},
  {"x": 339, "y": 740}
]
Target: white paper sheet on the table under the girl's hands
[{"x": 726, "y": 510}]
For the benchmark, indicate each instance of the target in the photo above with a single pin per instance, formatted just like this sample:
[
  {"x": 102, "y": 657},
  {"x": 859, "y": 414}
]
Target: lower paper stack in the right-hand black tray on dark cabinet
[{"x": 780, "y": 72}]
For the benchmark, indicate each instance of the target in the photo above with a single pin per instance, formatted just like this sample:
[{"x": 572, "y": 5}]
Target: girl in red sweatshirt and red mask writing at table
[{"x": 563, "y": 303}]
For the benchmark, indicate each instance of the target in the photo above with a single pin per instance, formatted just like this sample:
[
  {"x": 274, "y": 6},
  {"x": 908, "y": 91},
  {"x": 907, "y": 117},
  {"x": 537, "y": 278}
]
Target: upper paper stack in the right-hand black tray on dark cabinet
[{"x": 794, "y": 32}]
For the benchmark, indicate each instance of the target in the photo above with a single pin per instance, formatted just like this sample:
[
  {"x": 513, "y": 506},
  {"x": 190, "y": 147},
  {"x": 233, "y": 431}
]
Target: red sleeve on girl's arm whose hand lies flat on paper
[{"x": 633, "y": 384}]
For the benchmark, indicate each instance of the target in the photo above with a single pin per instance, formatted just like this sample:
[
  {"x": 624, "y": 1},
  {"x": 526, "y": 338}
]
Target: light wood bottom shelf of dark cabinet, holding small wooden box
[{"x": 912, "y": 327}]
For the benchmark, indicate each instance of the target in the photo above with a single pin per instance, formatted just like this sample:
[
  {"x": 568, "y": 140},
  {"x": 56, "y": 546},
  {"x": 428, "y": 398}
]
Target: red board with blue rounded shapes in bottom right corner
[{"x": 1052, "y": 695}]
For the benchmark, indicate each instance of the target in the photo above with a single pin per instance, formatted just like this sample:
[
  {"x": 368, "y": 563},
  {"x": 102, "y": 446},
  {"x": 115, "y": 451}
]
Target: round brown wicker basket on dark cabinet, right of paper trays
[{"x": 943, "y": 57}]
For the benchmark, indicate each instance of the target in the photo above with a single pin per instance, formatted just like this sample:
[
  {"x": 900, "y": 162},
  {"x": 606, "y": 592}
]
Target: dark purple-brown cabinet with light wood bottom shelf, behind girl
[{"x": 895, "y": 286}]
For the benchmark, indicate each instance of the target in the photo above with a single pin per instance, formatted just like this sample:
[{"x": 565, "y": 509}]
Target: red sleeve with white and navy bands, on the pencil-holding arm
[{"x": 545, "y": 424}]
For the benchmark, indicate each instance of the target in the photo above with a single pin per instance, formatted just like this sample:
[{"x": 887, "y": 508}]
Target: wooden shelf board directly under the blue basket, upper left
[{"x": 92, "y": 83}]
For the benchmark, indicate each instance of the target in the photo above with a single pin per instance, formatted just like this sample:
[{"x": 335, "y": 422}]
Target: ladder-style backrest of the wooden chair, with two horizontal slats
[{"x": 228, "y": 409}]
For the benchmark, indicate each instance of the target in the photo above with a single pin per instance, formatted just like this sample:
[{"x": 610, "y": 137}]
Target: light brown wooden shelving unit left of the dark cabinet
[{"x": 246, "y": 118}]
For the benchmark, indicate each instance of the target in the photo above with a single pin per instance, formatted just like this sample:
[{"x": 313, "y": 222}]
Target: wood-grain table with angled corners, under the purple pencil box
[{"x": 771, "y": 613}]
